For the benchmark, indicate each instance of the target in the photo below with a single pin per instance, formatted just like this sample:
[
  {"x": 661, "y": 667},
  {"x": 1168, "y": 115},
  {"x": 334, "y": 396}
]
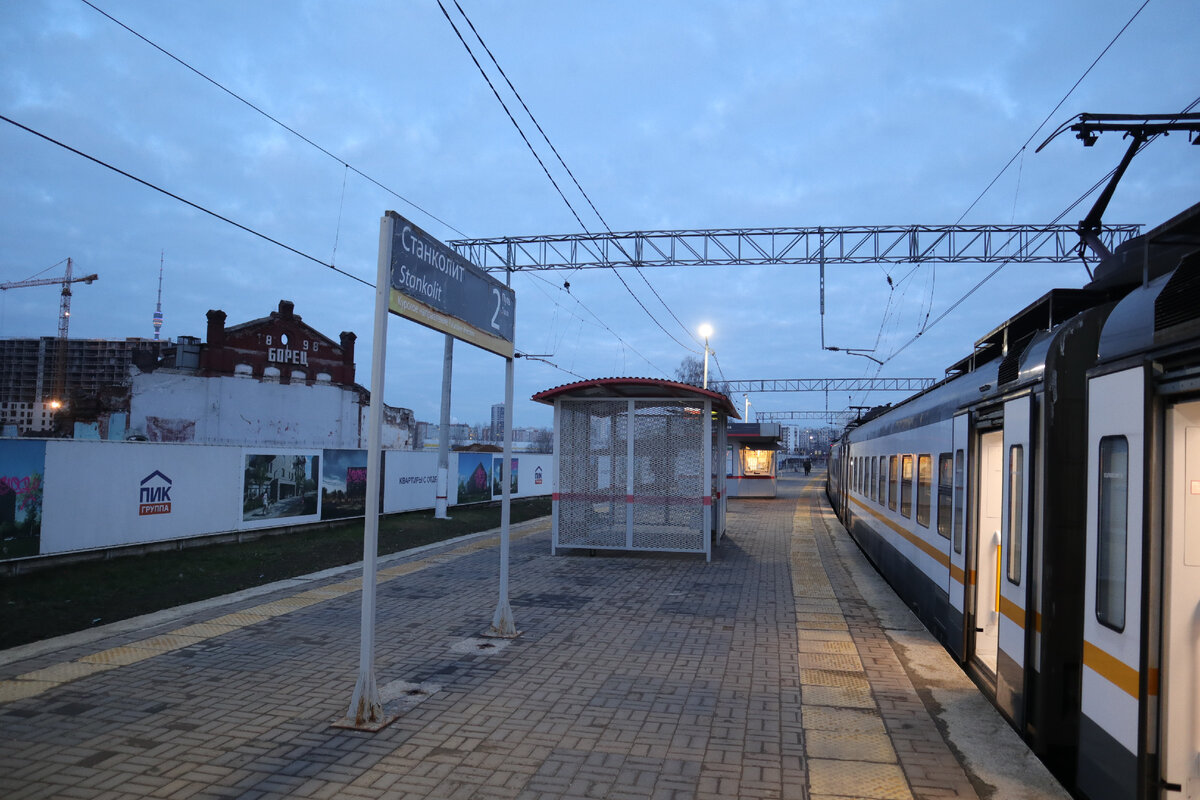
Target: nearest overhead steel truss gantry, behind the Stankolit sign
[{"x": 814, "y": 245}]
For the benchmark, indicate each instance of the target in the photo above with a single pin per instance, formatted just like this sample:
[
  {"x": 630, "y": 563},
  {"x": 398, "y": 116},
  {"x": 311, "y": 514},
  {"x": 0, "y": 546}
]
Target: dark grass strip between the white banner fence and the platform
[{"x": 73, "y": 598}]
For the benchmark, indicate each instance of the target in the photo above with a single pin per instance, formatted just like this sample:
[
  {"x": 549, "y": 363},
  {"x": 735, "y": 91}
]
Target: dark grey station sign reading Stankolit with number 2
[{"x": 439, "y": 288}]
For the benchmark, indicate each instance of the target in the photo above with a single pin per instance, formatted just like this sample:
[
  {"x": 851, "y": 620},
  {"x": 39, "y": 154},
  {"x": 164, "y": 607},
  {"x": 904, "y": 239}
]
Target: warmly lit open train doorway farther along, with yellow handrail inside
[{"x": 987, "y": 550}]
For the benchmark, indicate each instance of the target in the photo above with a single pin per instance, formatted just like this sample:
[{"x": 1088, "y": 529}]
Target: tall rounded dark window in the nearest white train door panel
[{"x": 1113, "y": 534}]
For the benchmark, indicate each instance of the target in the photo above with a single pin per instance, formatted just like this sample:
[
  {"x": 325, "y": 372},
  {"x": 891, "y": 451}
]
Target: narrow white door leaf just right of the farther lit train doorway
[{"x": 1015, "y": 555}]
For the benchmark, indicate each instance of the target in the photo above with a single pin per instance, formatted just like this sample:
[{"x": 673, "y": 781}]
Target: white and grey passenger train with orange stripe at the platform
[{"x": 1040, "y": 512}]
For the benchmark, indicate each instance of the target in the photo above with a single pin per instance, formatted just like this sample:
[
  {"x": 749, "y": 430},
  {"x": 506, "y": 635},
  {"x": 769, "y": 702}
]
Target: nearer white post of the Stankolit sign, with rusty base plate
[{"x": 367, "y": 707}]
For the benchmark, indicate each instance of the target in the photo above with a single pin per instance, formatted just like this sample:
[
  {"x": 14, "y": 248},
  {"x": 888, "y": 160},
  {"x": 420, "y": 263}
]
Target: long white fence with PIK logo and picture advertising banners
[{"x": 65, "y": 496}]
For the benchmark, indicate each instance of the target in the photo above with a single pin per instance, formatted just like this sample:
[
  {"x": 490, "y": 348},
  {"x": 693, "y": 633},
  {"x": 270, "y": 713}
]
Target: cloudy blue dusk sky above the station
[{"x": 680, "y": 115}]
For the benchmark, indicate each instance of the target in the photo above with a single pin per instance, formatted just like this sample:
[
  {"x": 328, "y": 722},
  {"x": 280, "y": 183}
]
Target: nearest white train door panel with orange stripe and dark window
[{"x": 1113, "y": 682}]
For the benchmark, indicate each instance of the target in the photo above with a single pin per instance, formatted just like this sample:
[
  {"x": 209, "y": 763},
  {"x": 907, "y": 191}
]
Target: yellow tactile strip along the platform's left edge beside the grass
[{"x": 40, "y": 681}]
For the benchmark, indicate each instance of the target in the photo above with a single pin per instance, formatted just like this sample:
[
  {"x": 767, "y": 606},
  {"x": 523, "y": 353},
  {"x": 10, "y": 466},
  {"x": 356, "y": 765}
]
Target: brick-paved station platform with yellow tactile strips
[{"x": 766, "y": 673}]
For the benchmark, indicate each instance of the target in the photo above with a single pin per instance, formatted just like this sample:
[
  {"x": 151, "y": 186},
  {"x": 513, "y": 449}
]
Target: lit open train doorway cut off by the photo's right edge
[{"x": 1180, "y": 709}]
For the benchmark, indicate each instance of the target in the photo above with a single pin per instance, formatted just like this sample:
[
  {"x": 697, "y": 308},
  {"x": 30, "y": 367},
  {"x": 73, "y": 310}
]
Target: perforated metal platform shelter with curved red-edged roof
[{"x": 639, "y": 466}]
